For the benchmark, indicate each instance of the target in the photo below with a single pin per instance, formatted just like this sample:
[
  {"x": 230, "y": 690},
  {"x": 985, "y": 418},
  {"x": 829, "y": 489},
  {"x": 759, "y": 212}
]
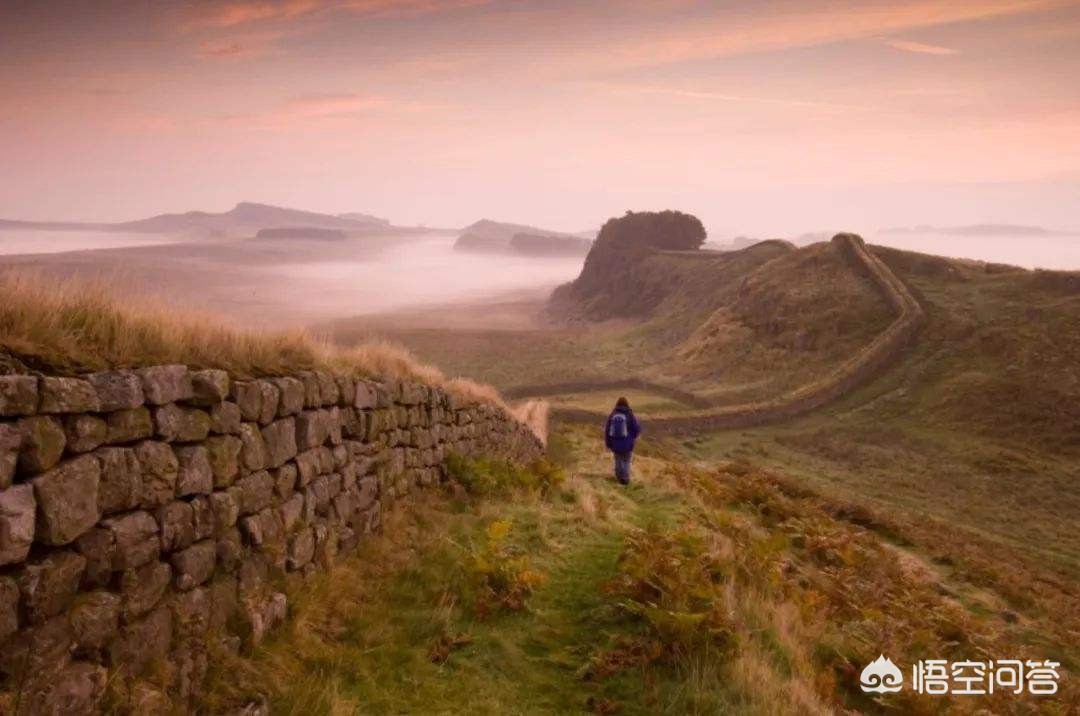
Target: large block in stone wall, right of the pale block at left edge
[{"x": 67, "y": 501}]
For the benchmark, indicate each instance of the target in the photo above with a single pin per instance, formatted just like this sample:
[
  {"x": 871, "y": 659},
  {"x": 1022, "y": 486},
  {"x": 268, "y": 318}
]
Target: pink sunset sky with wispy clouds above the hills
[{"x": 759, "y": 117}]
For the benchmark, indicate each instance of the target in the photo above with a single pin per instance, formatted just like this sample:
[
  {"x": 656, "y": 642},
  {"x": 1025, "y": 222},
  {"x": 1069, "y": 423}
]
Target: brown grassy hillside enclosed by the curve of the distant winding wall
[{"x": 735, "y": 327}]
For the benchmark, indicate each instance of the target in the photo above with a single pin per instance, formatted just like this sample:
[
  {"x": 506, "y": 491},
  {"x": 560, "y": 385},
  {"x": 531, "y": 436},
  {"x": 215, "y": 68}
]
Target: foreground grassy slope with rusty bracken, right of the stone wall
[{"x": 794, "y": 598}]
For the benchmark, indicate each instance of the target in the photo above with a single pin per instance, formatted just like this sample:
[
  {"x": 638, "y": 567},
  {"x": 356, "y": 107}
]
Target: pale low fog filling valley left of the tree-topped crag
[{"x": 285, "y": 283}]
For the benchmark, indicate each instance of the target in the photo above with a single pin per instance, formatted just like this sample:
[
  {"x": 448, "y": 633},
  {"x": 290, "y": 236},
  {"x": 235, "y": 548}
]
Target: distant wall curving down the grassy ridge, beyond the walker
[{"x": 863, "y": 367}]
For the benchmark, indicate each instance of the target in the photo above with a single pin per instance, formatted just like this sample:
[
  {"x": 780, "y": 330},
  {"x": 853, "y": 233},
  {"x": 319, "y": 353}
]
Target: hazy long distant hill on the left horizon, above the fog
[{"x": 245, "y": 220}]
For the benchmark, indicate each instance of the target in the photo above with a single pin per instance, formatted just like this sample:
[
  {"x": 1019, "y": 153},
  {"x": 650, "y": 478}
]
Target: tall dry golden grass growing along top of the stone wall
[{"x": 80, "y": 327}]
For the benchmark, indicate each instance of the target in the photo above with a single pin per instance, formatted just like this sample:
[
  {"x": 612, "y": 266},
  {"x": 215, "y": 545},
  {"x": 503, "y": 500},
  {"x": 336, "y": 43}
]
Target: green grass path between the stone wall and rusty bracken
[{"x": 361, "y": 639}]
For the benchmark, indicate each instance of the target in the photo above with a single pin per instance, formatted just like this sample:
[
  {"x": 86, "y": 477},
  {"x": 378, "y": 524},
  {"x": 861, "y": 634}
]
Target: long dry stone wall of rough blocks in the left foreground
[{"x": 147, "y": 515}]
